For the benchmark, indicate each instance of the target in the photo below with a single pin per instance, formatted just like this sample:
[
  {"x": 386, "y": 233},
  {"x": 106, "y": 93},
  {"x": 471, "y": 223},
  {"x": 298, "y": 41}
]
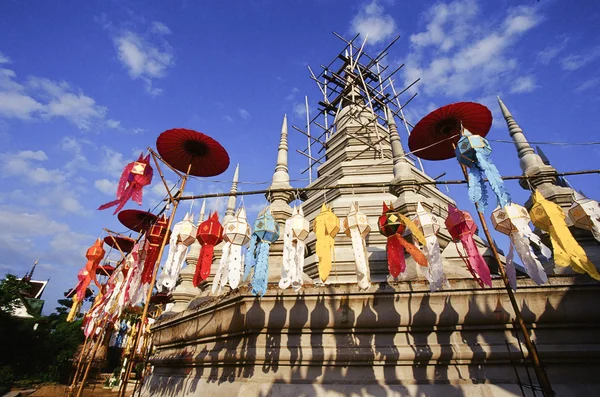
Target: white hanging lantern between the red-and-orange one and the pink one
[{"x": 429, "y": 225}]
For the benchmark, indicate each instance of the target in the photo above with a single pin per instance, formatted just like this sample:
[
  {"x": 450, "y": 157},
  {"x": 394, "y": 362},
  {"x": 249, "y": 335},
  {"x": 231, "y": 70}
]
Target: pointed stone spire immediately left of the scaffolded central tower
[{"x": 281, "y": 180}]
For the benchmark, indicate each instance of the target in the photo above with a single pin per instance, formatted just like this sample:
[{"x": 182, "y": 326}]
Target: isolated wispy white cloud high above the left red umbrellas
[{"x": 146, "y": 57}]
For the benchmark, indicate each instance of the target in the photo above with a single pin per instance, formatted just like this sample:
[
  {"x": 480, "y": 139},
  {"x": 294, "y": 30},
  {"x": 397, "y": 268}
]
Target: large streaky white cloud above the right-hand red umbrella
[{"x": 480, "y": 58}]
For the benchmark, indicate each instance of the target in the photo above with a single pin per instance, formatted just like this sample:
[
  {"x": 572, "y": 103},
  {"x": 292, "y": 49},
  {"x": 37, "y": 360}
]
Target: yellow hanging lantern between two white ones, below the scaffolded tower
[{"x": 326, "y": 226}]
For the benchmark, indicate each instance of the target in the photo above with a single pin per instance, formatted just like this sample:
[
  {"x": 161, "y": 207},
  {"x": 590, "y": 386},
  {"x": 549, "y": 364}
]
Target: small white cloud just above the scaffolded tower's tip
[{"x": 372, "y": 20}]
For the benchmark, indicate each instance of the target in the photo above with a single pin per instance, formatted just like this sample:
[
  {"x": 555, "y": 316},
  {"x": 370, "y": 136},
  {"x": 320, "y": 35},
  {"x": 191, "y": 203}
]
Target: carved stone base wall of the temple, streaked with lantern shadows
[{"x": 394, "y": 340}]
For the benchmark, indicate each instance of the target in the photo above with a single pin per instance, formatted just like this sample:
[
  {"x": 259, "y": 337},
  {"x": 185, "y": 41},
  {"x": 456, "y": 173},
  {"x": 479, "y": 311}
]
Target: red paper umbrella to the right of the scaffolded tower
[{"x": 435, "y": 136}]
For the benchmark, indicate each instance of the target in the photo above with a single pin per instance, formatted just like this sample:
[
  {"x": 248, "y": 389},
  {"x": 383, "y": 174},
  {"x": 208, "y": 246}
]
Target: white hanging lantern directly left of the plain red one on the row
[{"x": 182, "y": 236}]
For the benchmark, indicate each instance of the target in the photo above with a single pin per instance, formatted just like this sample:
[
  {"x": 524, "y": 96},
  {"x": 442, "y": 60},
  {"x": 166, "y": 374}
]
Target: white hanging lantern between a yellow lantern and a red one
[{"x": 356, "y": 226}]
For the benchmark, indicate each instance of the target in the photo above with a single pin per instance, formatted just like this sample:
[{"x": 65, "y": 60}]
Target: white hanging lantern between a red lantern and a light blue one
[{"x": 236, "y": 234}]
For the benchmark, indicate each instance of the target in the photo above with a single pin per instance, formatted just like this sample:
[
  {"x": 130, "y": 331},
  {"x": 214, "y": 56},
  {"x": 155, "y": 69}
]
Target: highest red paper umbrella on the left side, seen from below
[{"x": 180, "y": 148}]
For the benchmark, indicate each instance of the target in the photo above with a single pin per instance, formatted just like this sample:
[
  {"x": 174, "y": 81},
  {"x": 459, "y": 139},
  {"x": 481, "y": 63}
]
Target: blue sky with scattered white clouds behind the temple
[{"x": 84, "y": 89}]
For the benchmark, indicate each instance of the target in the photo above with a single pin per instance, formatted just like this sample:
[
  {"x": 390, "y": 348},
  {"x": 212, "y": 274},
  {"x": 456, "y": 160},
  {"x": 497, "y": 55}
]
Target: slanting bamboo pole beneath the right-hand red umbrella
[{"x": 531, "y": 349}]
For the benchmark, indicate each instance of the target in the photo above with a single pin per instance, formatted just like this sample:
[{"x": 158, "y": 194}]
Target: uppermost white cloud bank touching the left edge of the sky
[{"x": 40, "y": 98}]
